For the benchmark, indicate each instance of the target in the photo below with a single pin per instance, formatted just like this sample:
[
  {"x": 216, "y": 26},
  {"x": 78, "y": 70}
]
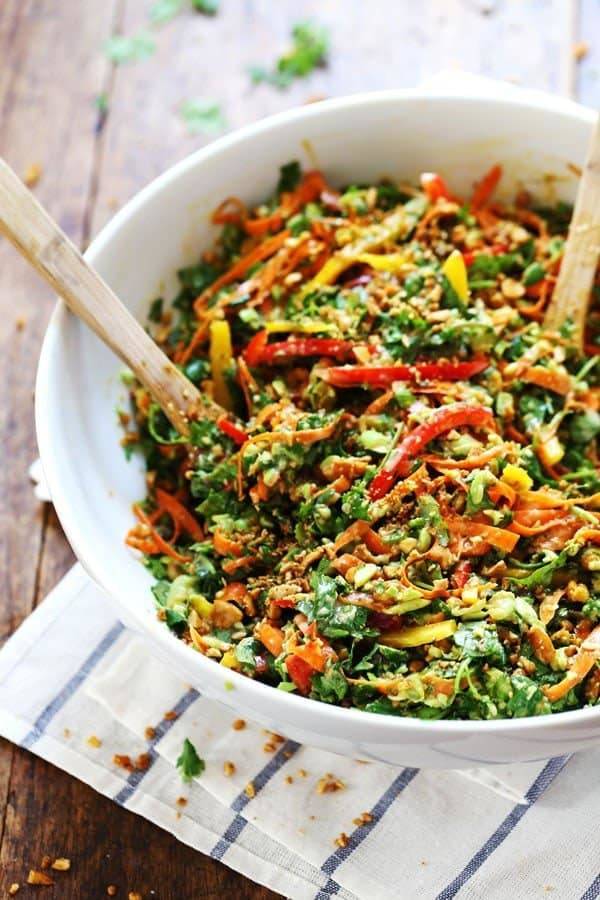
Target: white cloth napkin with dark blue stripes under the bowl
[{"x": 72, "y": 673}]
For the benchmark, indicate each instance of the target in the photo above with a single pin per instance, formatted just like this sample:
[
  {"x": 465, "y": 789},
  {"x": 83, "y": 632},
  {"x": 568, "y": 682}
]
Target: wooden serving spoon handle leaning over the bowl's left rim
[{"x": 40, "y": 240}]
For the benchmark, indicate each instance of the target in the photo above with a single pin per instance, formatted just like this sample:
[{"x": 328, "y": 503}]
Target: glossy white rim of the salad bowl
[{"x": 311, "y": 714}]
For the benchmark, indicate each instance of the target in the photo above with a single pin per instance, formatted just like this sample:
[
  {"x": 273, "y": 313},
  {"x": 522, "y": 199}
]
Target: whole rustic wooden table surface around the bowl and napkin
[{"x": 52, "y": 67}]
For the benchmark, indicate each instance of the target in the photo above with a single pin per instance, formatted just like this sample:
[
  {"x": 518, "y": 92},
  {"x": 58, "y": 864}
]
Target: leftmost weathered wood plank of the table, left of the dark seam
[{"x": 39, "y": 123}]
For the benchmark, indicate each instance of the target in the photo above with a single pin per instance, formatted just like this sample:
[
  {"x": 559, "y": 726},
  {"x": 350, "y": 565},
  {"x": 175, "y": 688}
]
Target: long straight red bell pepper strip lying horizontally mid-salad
[{"x": 383, "y": 376}]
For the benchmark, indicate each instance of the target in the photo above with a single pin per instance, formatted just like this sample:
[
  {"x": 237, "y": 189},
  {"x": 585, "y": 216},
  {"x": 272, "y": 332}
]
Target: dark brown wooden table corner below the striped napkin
[{"x": 106, "y": 845}]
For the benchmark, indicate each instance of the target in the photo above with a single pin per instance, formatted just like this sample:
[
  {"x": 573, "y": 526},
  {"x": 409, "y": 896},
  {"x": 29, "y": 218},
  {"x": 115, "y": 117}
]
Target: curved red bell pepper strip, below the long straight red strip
[{"x": 443, "y": 419}]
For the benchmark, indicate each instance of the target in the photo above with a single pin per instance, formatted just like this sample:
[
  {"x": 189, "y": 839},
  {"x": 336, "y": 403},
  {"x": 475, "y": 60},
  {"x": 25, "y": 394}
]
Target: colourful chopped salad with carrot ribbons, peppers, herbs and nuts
[{"x": 398, "y": 509}]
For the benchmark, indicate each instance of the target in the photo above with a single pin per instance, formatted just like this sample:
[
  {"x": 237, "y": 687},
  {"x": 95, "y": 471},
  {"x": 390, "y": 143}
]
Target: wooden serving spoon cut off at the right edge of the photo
[{"x": 571, "y": 296}]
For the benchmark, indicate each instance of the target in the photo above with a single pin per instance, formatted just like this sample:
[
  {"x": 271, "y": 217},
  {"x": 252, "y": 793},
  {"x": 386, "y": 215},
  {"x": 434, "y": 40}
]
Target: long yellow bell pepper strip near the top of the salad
[{"x": 396, "y": 226}]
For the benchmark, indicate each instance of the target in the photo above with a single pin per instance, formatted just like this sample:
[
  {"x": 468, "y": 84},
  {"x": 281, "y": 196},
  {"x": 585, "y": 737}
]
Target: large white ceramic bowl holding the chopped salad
[{"x": 397, "y": 134}]
